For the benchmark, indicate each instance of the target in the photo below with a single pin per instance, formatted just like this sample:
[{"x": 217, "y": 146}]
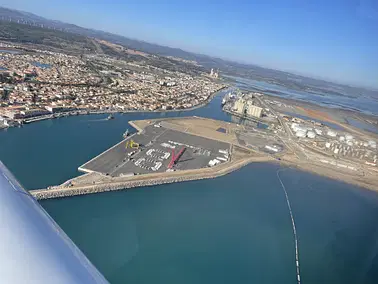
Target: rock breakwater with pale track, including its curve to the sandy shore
[{"x": 190, "y": 175}]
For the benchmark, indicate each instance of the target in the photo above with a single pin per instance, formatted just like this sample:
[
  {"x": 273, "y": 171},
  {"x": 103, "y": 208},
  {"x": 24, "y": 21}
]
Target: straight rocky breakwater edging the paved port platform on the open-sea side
[{"x": 59, "y": 192}]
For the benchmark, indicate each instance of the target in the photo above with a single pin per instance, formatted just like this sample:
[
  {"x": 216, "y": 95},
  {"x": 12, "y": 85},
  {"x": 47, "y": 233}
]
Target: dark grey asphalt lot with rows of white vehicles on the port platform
[{"x": 152, "y": 151}]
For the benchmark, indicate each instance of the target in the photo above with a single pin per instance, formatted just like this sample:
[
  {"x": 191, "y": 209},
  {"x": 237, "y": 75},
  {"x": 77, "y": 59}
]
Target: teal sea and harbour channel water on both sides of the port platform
[{"x": 232, "y": 229}]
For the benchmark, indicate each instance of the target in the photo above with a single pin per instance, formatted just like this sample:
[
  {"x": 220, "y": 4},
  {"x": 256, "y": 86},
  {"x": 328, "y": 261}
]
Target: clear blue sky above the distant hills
[{"x": 336, "y": 40}]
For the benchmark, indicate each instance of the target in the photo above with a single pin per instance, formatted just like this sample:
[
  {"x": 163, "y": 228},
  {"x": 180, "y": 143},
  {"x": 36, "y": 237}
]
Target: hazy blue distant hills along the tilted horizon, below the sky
[{"x": 227, "y": 67}]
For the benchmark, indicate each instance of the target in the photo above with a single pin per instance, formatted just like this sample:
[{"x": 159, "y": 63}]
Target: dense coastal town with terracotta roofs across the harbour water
[{"x": 38, "y": 84}]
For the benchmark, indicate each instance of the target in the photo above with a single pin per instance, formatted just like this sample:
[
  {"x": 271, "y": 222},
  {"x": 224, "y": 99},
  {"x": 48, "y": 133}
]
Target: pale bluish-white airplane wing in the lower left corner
[{"x": 33, "y": 248}]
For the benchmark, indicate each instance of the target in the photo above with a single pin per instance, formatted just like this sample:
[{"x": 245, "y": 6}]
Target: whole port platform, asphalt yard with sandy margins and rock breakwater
[{"x": 162, "y": 151}]
